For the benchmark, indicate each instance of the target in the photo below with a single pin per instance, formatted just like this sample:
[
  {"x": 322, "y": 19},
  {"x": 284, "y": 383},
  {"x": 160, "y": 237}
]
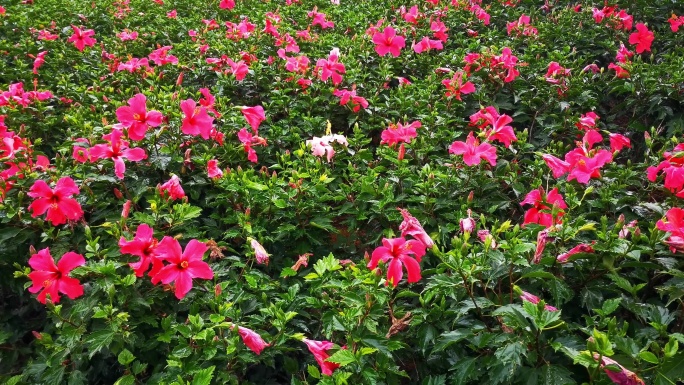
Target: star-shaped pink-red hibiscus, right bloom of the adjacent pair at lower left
[{"x": 183, "y": 265}]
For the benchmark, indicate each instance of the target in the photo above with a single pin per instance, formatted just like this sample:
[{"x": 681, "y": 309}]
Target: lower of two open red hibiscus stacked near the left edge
[{"x": 54, "y": 279}]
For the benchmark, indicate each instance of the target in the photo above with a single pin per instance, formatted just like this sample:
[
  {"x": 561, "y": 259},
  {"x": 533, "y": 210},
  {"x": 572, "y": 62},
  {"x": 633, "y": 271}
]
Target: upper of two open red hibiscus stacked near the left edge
[{"x": 58, "y": 203}]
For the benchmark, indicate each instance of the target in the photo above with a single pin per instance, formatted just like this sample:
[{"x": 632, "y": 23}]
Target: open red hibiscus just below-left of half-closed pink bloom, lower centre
[{"x": 397, "y": 252}]
